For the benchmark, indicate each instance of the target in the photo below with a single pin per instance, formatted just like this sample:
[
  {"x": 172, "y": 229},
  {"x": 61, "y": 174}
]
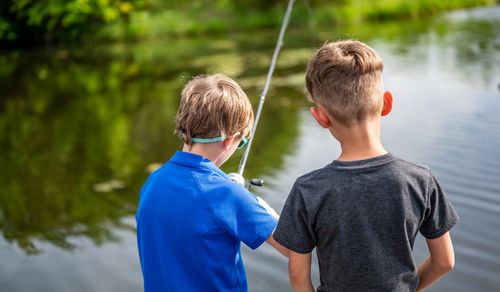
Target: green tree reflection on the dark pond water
[{"x": 81, "y": 126}]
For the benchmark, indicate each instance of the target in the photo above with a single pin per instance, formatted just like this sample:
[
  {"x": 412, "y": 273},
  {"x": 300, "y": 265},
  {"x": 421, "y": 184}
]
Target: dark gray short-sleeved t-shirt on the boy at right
[{"x": 363, "y": 217}]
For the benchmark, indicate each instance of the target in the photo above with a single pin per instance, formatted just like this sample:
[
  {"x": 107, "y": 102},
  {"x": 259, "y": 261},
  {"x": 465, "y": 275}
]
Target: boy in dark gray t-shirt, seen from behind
[{"x": 363, "y": 211}]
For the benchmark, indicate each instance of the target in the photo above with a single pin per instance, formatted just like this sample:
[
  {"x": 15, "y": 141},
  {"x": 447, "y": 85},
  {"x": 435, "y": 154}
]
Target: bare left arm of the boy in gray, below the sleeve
[{"x": 299, "y": 272}]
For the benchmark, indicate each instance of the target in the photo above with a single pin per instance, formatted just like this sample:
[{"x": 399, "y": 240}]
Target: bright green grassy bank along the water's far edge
[{"x": 200, "y": 20}]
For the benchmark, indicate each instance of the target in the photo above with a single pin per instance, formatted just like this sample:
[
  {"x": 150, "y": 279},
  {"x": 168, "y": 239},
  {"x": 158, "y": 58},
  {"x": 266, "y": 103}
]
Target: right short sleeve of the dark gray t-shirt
[{"x": 440, "y": 216}]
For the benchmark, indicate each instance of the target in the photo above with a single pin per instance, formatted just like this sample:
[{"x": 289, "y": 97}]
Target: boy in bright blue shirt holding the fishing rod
[{"x": 191, "y": 217}]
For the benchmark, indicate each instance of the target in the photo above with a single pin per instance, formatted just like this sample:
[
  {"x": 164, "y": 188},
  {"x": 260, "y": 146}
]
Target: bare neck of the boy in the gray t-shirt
[{"x": 360, "y": 142}]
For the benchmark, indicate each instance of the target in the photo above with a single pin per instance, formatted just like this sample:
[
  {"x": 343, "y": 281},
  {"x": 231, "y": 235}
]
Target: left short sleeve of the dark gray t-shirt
[{"x": 295, "y": 230}]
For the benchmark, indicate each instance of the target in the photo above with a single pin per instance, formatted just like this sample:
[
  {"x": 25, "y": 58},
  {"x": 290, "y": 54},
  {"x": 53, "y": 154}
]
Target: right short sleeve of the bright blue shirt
[{"x": 238, "y": 212}]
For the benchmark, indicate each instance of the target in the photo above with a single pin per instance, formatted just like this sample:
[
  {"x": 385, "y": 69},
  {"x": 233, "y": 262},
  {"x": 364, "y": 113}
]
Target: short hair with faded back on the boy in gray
[{"x": 345, "y": 77}]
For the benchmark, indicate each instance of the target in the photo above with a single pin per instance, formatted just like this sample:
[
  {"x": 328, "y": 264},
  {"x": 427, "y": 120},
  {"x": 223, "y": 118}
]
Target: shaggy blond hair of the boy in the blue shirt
[{"x": 213, "y": 106}]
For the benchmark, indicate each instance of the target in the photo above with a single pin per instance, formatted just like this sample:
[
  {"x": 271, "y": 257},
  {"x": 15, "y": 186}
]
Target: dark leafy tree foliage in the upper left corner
[{"x": 27, "y": 21}]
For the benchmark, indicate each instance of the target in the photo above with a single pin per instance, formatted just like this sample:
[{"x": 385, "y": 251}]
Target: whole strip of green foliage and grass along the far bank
[{"x": 28, "y": 22}]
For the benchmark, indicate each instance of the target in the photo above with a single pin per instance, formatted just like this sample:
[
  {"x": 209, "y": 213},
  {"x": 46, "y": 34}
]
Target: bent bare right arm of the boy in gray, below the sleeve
[{"x": 440, "y": 261}]
